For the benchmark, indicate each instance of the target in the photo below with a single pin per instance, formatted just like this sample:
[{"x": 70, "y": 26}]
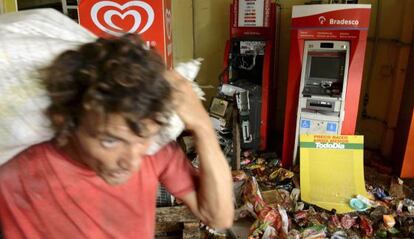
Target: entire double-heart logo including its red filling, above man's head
[{"x": 104, "y": 14}]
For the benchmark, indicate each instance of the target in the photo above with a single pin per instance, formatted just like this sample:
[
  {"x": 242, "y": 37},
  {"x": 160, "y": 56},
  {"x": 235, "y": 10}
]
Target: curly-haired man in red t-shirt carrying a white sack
[{"x": 109, "y": 99}]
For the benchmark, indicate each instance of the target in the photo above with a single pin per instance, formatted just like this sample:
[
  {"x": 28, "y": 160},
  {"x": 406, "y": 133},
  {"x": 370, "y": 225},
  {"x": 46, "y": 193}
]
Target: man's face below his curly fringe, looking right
[{"x": 110, "y": 148}]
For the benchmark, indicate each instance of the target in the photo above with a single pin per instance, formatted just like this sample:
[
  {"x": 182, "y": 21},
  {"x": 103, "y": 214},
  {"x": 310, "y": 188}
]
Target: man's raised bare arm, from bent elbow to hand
[{"x": 213, "y": 200}]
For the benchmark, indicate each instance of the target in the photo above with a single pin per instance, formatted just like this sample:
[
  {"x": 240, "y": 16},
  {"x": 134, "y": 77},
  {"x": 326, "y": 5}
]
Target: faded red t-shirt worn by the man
[{"x": 44, "y": 194}]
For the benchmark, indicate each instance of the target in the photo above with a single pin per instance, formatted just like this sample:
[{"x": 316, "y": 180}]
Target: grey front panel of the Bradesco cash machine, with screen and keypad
[{"x": 322, "y": 88}]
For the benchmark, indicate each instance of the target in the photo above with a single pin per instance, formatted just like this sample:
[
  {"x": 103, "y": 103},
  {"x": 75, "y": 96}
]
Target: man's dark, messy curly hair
[{"x": 118, "y": 75}]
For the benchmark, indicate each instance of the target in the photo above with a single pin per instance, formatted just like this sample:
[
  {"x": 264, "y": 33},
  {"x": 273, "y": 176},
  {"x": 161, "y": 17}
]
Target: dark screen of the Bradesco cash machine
[{"x": 326, "y": 67}]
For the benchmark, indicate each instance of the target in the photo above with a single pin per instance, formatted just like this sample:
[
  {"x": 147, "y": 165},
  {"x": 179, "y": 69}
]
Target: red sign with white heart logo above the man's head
[{"x": 149, "y": 18}]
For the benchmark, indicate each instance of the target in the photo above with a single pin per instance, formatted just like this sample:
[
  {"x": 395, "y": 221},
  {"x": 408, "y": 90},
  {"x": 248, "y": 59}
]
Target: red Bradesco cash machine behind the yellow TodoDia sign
[{"x": 326, "y": 62}]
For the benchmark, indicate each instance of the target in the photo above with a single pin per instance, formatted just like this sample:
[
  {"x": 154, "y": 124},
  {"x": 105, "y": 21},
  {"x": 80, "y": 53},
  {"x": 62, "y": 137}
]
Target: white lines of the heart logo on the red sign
[{"x": 107, "y": 17}]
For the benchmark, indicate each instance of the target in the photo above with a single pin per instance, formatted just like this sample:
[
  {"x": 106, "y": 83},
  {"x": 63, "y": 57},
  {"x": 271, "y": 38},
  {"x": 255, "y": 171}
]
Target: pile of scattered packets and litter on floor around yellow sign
[{"x": 271, "y": 195}]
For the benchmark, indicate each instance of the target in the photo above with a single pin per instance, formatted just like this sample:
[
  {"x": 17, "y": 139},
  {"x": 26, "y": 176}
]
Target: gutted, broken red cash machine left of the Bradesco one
[{"x": 249, "y": 60}]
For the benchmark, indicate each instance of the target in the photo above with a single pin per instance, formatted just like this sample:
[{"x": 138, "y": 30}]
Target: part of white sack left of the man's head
[{"x": 30, "y": 40}]
